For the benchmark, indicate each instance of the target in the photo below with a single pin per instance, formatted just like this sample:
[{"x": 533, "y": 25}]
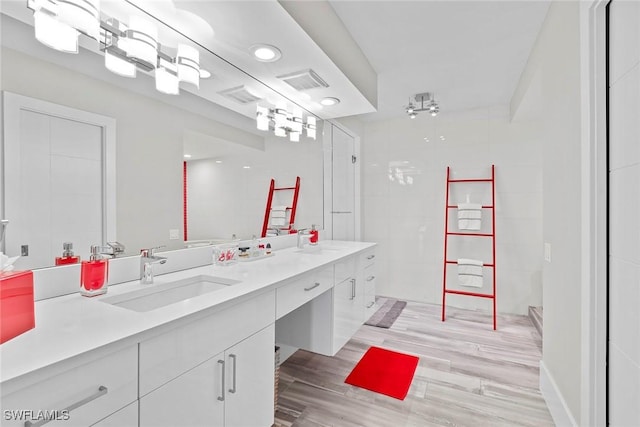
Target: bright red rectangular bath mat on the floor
[{"x": 384, "y": 371}]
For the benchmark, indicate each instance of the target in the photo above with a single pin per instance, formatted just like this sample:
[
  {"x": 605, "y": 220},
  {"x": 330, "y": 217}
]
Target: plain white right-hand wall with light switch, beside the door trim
[{"x": 551, "y": 84}]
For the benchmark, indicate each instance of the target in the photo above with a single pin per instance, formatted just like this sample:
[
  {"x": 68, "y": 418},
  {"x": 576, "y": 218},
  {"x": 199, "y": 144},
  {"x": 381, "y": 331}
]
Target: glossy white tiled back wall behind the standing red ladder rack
[{"x": 404, "y": 179}]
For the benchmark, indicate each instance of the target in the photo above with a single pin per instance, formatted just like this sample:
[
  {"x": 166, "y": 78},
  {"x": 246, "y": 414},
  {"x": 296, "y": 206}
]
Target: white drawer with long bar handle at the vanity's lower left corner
[{"x": 78, "y": 397}]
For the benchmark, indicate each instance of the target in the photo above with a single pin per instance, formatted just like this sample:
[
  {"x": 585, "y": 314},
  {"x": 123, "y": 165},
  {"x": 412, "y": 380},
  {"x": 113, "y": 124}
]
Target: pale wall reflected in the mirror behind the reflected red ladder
[{"x": 242, "y": 192}]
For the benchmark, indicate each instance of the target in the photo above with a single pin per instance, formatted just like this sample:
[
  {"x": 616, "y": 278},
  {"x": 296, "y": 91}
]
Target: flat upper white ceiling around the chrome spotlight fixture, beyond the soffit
[{"x": 469, "y": 53}]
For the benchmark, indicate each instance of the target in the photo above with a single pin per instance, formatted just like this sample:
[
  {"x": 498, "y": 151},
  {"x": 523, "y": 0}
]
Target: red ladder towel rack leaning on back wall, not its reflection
[{"x": 491, "y": 235}]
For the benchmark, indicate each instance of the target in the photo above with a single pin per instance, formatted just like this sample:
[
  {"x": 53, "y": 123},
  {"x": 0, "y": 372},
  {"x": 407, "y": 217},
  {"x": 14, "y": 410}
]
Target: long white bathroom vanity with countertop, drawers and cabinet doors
[{"x": 194, "y": 348}]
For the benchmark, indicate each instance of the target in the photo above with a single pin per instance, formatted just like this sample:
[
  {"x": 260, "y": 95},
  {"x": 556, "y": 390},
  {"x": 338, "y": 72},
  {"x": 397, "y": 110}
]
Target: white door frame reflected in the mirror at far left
[{"x": 12, "y": 104}]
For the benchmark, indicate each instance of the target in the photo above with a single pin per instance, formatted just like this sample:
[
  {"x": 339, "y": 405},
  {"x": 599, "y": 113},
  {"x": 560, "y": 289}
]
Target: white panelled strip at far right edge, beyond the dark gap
[{"x": 624, "y": 202}]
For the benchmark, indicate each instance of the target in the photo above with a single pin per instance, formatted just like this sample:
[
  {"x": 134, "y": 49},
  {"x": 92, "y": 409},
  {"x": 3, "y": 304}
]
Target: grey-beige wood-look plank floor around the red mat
[{"x": 468, "y": 375}]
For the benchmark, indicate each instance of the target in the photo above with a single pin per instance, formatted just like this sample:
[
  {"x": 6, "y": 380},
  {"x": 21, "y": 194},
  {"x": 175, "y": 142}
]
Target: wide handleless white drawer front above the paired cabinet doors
[{"x": 166, "y": 356}]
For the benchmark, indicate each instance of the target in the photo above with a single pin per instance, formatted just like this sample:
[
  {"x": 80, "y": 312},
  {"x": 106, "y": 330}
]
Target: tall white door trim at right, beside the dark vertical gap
[{"x": 594, "y": 314}]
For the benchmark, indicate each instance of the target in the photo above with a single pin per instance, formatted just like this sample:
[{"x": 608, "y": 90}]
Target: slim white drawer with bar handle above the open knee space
[{"x": 293, "y": 295}]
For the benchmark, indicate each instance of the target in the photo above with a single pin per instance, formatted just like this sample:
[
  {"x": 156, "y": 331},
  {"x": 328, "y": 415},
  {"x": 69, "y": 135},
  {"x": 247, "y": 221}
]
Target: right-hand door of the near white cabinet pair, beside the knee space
[{"x": 250, "y": 380}]
